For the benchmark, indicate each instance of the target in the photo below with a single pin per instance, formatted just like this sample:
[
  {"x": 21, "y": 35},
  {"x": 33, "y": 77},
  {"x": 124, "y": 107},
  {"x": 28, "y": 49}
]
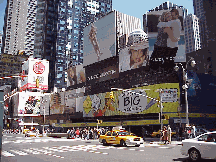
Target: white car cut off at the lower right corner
[{"x": 202, "y": 146}]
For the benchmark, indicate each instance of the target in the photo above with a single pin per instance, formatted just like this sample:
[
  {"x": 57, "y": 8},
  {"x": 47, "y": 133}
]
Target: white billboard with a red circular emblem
[{"x": 35, "y": 69}]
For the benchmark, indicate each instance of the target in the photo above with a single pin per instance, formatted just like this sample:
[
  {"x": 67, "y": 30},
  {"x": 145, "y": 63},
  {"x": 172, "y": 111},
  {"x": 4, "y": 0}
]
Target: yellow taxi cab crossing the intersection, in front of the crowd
[{"x": 120, "y": 137}]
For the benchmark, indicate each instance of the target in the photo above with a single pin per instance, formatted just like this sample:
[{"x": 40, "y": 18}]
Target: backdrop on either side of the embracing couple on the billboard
[{"x": 152, "y": 20}]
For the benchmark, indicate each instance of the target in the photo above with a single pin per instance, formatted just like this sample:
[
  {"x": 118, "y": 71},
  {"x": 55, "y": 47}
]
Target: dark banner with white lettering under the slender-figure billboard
[{"x": 108, "y": 70}]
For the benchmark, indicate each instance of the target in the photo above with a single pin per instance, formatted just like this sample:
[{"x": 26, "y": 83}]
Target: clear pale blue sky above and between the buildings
[{"x": 134, "y": 8}]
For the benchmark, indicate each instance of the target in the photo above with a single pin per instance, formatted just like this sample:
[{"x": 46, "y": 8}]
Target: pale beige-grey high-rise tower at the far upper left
[{"x": 18, "y": 30}]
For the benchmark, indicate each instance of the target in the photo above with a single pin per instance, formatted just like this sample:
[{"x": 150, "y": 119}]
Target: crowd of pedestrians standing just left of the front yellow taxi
[{"x": 86, "y": 133}]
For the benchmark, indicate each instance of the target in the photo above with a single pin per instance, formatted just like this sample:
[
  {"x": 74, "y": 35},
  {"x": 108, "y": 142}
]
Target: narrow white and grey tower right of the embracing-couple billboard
[{"x": 192, "y": 33}]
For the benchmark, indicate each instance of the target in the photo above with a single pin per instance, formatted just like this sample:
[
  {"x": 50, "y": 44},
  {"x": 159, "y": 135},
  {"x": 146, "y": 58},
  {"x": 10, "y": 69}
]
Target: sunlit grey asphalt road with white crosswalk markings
[{"x": 17, "y": 148}]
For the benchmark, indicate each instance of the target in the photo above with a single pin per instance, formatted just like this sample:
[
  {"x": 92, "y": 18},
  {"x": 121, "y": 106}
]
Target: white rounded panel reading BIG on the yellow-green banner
[{"x": 133, "y": 101}]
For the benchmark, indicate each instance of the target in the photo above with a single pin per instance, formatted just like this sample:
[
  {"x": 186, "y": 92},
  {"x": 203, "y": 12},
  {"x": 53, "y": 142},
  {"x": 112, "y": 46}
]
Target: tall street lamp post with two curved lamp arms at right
[{"x": 186, "y": 84}]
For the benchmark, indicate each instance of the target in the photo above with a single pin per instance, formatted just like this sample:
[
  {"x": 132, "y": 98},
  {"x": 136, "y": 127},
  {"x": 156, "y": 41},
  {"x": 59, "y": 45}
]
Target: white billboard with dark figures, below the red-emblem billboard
[{"x": 29, "y": 103}]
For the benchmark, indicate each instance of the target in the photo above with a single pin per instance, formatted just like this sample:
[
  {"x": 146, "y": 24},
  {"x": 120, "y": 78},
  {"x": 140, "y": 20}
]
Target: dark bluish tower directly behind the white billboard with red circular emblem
[{"x": 46, "y": 35}]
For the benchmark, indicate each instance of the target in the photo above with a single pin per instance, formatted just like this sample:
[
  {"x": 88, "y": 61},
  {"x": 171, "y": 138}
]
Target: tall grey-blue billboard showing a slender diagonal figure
[{"x": 100, "y": 40}]
